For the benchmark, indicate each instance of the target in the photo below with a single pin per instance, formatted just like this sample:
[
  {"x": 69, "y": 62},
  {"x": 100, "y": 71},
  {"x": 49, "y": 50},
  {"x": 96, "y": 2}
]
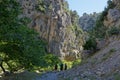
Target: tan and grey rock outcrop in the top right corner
[{"x": 113, "y": 16}]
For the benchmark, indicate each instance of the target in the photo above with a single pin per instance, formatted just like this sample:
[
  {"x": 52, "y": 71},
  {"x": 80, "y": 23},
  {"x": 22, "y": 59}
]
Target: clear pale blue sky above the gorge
[{"x": 88, "y": 6}]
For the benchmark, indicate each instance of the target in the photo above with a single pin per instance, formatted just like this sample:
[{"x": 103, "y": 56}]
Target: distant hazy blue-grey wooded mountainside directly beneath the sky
[{"x": 87, "y": 21}]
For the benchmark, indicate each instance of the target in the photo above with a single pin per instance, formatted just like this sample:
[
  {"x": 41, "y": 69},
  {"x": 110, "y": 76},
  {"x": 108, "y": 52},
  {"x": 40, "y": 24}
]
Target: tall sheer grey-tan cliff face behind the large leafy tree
[{"x": 53, "y": 23}]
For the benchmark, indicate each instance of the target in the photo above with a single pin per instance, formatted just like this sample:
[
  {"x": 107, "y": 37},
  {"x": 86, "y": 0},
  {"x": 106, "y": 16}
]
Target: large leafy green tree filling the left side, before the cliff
[{"x": 19, "y": 45}]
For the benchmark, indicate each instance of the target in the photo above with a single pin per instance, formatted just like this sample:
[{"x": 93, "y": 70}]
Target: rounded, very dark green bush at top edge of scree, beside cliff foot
[{"x": 90, "y": 44}]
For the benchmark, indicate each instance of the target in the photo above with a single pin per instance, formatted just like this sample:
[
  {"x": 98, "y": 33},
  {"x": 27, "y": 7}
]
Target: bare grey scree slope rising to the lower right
[{"x": 104, "y": 65}]
